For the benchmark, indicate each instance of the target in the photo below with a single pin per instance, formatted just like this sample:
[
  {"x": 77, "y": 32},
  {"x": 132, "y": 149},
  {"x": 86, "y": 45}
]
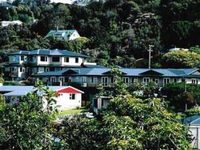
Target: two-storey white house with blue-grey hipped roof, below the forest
[{"x": 25, "y": 63}]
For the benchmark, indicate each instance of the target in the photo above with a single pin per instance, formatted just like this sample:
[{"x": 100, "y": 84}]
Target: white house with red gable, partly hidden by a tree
[{"x": 68, "y": 96}]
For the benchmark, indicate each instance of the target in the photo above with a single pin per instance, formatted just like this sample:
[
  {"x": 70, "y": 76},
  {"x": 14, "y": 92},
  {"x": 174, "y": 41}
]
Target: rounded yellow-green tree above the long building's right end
[{"x": 180, "y": 59}]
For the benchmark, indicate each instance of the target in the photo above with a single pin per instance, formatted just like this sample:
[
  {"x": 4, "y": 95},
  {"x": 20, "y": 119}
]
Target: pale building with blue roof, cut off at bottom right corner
[{"x": 193, "y": 122}]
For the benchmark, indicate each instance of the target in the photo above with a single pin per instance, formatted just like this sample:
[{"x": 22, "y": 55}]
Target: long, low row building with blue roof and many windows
[{"x": 95, "y": 76}]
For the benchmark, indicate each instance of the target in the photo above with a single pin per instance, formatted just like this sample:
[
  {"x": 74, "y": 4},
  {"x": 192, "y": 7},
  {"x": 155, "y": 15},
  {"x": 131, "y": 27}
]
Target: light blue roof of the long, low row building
[{"x": 127, "y": 72}]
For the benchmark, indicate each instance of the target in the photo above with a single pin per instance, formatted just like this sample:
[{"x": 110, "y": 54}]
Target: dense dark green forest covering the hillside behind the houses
[{"x": 118, "y": 31}]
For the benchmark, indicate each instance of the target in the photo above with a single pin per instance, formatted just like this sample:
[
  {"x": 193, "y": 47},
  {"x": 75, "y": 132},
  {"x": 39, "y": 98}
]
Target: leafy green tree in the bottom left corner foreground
[{"x": 26, "y": 124}]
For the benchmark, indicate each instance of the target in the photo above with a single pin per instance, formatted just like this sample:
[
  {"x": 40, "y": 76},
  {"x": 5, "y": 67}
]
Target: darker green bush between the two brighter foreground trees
[{"x": 80, "y": 133}]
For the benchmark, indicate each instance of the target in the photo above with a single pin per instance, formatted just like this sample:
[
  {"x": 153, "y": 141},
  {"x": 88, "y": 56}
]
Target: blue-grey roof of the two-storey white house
[{"x": 48, "y": 52}]
